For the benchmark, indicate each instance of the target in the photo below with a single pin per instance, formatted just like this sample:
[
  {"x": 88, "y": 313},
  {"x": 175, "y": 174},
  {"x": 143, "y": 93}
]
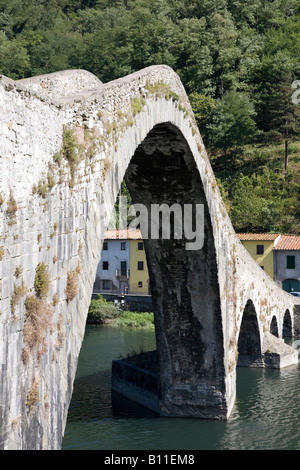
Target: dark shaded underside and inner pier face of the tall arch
[{"x": 184, "y": 283}]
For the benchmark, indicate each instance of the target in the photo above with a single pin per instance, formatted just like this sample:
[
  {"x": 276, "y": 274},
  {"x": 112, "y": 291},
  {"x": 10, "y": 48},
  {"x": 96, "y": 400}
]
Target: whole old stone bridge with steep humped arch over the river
[{"x": 67, "y": 142}]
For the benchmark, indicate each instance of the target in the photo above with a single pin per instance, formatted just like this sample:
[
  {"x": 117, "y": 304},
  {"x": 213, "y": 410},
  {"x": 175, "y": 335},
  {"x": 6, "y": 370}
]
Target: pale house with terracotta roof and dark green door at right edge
[{"x": 287, "y": 263}]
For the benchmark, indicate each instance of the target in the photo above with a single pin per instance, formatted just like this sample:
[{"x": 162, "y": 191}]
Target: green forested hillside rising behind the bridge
[{"x": 236, "y": 58}]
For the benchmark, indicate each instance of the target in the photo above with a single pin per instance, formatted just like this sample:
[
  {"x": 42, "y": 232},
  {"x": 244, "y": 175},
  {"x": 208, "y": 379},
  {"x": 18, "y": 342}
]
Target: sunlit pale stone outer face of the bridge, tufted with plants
[{"x": 63, "y": 155}]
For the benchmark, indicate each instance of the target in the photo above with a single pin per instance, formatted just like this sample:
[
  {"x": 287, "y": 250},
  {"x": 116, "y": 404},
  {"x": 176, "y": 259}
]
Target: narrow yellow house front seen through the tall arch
[{"x": 139, "y": 275}]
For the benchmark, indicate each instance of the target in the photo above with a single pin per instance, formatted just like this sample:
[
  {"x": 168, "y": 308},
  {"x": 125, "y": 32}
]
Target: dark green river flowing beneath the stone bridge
[{"x": 266, "y": 414}]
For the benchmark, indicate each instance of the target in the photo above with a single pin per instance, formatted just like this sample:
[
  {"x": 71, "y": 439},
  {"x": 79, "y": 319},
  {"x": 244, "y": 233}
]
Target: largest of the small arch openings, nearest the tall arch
[{"x": 249, "y": 344}]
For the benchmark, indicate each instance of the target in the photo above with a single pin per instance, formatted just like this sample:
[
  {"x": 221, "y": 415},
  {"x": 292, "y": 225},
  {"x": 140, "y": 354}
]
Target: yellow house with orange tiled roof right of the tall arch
[{"x": 260, "y": 246}]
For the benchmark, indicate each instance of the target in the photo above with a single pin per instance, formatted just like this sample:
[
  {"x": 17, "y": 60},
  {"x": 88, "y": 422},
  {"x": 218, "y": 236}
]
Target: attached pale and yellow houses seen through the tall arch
[{"x": 123, "y": 267}]
